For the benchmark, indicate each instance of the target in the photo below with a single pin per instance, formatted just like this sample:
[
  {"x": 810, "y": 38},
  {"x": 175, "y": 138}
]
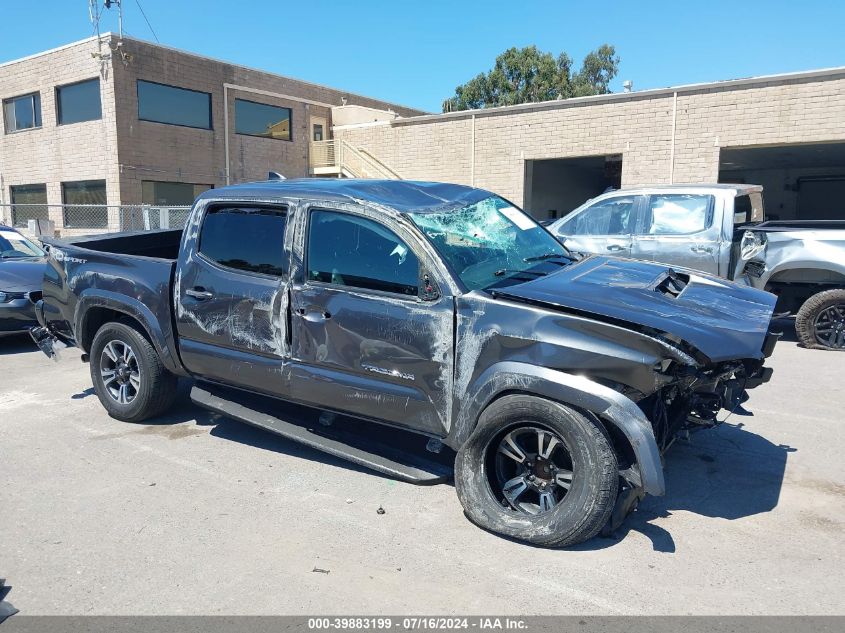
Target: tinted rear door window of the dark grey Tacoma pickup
[{"x": 245, "y": 238}]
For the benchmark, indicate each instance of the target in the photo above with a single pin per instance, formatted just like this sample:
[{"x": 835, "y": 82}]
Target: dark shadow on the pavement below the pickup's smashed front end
[{"x": 726, "y": 473}]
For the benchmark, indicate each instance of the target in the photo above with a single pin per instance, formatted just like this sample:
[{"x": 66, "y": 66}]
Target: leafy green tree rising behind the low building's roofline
[{"x": 529, "y": 75}]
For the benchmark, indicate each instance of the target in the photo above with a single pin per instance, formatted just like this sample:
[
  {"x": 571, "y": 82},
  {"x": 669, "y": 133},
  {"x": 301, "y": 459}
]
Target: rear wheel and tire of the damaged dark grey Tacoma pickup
[{"x": 128, "y": 376}]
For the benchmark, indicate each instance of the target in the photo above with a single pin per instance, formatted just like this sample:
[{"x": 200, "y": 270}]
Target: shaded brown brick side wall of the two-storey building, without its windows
[{"x": 157, "y": 151}]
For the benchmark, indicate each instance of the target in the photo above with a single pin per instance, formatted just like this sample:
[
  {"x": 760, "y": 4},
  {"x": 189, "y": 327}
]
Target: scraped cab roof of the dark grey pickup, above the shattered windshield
[{"x": 406, "y": 196}]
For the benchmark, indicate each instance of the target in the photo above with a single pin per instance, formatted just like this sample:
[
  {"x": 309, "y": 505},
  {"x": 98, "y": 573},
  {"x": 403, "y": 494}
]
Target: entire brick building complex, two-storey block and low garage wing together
[{"x": 128, "y": 122}]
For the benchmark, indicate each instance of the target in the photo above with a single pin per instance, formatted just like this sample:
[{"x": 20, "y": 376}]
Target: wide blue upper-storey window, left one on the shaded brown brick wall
[{"x": 176, "y": 106}]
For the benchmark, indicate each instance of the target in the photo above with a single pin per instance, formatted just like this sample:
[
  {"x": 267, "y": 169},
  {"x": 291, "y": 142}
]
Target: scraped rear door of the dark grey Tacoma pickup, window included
[{"x": 230, "y": 288}]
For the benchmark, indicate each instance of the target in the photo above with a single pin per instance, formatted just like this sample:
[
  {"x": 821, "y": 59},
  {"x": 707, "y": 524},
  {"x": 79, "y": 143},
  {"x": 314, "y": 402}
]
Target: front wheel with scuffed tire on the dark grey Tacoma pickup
[{"x": 537, "y": 471}]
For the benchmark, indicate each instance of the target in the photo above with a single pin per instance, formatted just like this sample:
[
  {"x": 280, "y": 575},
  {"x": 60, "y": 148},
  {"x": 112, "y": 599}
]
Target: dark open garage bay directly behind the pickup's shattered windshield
[{"x": 554, "y": 187}]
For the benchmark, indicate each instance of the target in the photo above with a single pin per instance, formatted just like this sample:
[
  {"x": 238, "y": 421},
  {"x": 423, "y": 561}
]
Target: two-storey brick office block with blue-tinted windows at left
[{"x": 143, "y": 123}]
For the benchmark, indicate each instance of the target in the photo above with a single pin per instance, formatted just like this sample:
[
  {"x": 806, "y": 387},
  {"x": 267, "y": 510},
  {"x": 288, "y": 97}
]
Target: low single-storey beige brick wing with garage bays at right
[{"x": 785, "y": 132}]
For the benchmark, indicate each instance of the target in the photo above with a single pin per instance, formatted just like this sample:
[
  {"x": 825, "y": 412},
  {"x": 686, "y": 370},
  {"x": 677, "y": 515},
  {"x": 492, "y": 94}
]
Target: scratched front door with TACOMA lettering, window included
[{"x": 370, "y": 335}]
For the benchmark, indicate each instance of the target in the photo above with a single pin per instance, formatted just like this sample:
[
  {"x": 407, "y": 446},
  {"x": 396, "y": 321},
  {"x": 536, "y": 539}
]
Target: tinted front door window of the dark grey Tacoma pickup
[{"x": 348, "y": 250}]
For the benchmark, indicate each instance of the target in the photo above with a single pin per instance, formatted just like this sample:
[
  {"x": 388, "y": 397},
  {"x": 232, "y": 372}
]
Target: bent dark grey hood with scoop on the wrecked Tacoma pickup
[{"x": 722, "y": 319}]
